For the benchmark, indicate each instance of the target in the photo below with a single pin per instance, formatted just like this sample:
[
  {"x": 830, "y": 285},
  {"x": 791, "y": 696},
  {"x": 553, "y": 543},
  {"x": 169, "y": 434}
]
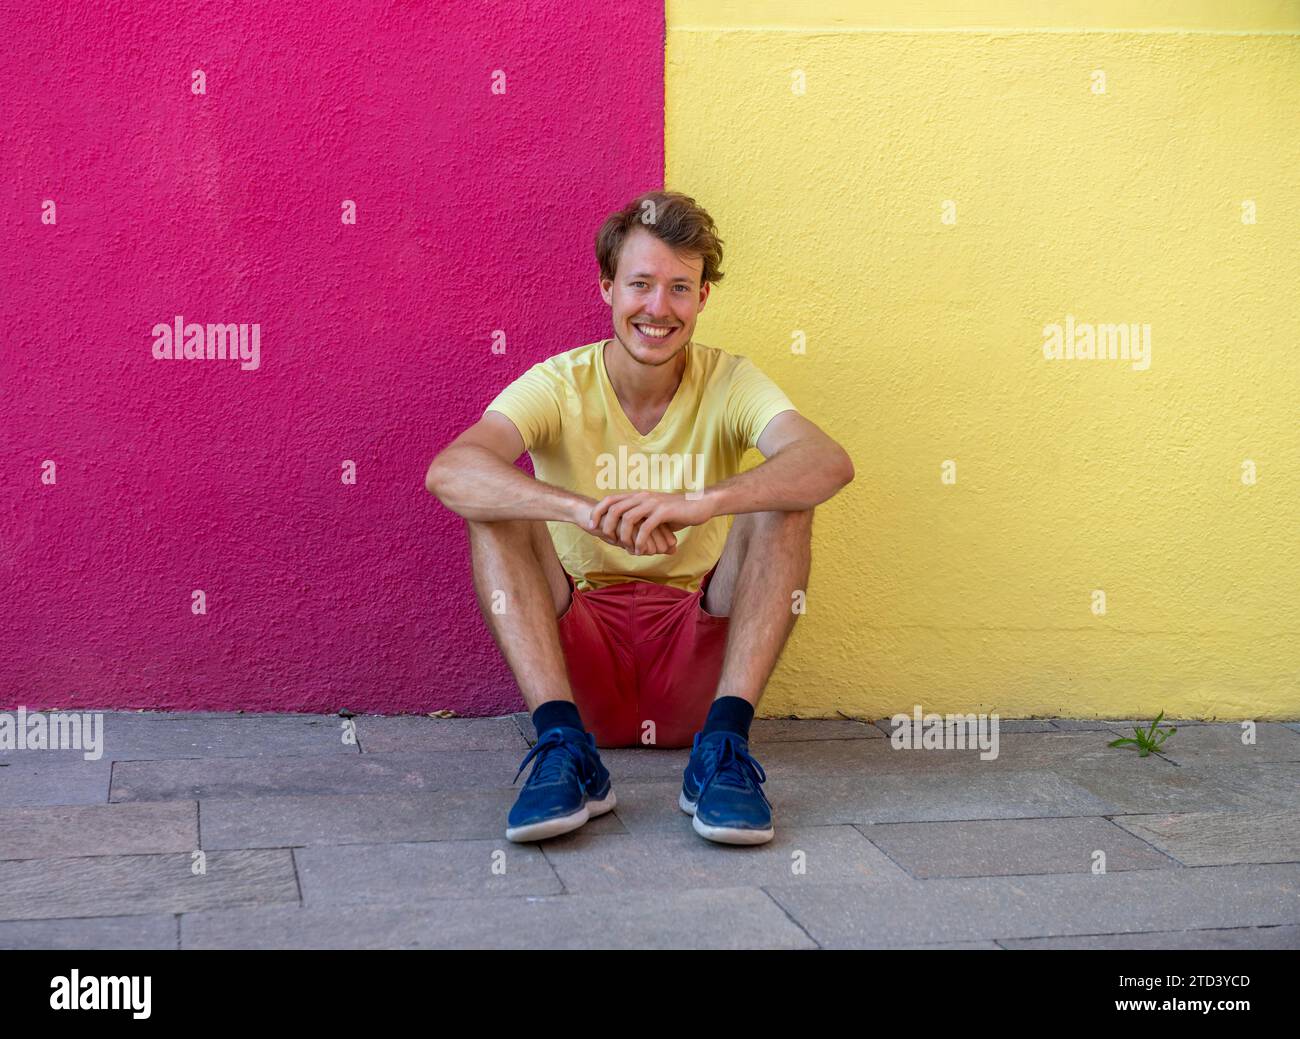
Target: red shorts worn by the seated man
[{"x": 642, "y": 652}]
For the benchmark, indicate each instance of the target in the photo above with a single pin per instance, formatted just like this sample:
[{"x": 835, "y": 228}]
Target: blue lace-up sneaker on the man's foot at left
[{"x": 567, "y": 787}]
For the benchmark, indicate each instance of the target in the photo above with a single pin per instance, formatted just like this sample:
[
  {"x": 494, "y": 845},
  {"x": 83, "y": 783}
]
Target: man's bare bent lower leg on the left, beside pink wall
[{"x": 515, "y": 568}]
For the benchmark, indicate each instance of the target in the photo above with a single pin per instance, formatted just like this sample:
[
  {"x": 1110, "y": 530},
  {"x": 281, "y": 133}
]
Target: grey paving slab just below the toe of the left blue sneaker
[{"x": 419, "y": 872}]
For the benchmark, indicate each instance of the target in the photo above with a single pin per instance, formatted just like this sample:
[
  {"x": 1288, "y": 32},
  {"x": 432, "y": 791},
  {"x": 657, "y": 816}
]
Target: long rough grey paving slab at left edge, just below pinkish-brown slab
[{"x": 114, "y": 886}]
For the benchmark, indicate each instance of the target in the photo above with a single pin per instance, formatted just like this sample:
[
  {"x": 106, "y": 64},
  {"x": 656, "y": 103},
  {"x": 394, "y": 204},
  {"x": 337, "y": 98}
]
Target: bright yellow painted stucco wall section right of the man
[{"x": 925, "y": 340}]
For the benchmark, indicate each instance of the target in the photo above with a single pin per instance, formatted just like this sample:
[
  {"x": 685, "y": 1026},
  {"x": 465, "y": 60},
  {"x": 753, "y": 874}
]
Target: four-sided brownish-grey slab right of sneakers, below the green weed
[{"x": 1013, "y": 847}]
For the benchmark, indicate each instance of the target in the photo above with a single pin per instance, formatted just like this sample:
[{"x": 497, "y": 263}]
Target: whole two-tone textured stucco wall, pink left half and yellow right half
[{"x": 476, "y": 213}]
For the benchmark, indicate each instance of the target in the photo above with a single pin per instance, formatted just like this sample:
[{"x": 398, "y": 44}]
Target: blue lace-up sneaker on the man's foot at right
[{"x": 721, "y": 789}]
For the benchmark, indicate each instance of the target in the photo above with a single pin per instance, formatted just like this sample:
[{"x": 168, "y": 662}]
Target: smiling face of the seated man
[{"x": 655, "y": 288}]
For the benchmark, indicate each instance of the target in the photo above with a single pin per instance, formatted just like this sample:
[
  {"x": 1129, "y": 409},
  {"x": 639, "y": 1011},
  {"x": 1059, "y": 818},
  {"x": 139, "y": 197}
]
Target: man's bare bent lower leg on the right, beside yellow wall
[{"x": 768, "y": 557}]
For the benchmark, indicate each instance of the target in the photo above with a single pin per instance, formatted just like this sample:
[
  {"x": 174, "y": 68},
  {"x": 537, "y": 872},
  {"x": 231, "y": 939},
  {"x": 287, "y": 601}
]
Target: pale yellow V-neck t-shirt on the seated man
[{"x": 580, "y": 439}]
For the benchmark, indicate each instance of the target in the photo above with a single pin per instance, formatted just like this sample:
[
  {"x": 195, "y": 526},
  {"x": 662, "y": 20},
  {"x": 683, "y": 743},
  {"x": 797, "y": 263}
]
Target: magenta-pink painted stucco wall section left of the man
[{"x": 475, "y": 213}]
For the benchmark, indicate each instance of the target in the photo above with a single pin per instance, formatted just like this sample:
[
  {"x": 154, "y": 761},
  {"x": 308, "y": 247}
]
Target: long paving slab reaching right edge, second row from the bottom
[{"x": 998, "y": 908}]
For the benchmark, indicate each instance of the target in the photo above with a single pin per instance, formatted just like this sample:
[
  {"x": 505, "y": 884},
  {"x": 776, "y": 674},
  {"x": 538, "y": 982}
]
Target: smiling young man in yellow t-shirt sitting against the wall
[{"x": 610, "y": 582}]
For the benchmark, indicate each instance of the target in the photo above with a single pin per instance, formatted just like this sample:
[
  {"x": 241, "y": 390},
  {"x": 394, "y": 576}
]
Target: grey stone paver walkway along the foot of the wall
[{"x": 237, "y": 832}]
